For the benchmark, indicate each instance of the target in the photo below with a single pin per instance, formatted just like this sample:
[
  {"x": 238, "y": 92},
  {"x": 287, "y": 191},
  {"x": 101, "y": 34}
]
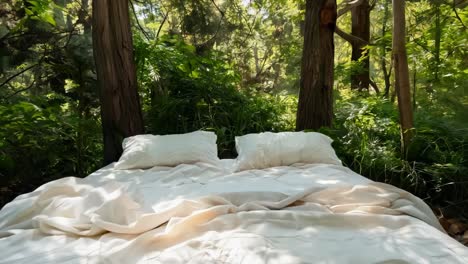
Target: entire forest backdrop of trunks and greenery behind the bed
[{"x": 386, "y": 80}]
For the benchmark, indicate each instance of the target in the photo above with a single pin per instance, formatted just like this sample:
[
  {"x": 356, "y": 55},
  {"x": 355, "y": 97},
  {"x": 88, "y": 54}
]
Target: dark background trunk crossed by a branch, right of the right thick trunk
[{"x": 360, "y": 27}]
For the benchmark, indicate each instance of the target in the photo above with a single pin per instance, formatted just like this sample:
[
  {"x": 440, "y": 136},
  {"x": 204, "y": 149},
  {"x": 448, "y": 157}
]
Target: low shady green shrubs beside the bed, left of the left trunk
[{"x": 40, "y": 143}]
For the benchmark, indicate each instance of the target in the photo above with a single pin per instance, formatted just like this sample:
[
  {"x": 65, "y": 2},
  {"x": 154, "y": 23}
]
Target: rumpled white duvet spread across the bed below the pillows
[{"x": 206, "y": 214}]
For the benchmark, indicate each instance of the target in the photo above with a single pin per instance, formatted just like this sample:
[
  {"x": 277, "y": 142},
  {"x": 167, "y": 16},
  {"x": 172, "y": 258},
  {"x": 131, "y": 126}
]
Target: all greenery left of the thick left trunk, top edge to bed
[{"x": 48, "y": 114}]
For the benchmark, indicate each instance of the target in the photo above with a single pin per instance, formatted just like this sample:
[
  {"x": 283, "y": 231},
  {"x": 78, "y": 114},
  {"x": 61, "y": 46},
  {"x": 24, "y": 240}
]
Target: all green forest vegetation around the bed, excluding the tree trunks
[{"x": 233, "y": 67}]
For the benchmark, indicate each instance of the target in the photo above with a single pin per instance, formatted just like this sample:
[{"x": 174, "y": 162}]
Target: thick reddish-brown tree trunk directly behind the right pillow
[{"x": 315, "y": 107}]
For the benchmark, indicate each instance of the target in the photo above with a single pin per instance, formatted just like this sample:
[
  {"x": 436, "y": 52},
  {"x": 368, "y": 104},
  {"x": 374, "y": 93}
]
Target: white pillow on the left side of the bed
[{"x": 145, "y": 151}]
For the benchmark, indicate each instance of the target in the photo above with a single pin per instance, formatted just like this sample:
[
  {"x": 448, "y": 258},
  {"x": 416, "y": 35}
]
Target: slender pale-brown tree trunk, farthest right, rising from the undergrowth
[{"x": 402, "y": 82}]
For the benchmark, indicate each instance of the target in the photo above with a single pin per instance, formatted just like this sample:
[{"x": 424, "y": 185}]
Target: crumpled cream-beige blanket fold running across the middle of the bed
[{"x": 74, "y": 206}]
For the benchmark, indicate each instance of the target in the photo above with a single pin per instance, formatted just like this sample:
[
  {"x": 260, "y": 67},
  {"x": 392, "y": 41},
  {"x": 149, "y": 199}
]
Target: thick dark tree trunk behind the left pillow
[{"x": 113, "y": 52}]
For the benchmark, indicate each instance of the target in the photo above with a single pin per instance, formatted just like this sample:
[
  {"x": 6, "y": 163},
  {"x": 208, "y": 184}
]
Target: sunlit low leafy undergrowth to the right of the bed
[{"x": 366, "y": 134}]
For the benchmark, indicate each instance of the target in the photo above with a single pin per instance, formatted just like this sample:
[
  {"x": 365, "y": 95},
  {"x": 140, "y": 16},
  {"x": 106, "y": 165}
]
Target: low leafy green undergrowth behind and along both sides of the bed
[{"x": 183, "y": 91}]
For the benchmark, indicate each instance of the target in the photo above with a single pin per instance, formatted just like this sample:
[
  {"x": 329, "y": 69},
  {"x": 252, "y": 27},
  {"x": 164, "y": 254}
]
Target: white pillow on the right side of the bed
[{"x": 265, "y": 150}]
